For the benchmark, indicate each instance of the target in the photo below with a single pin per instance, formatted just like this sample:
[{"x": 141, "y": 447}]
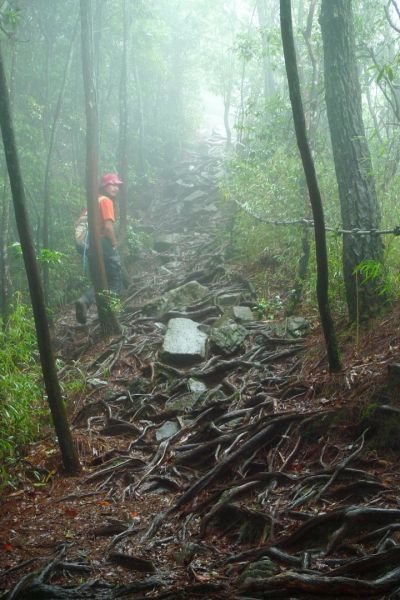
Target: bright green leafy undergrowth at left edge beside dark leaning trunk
[{"x": 22, "y": 405}]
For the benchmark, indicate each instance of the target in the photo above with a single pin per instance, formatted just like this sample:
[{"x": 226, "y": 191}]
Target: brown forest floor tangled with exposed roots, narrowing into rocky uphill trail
[{"x": 252, "y": 473}]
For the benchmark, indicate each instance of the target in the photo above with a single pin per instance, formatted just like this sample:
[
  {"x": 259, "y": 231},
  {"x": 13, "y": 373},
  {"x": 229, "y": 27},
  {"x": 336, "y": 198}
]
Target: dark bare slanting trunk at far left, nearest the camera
[{"x": 54, "y": 397}]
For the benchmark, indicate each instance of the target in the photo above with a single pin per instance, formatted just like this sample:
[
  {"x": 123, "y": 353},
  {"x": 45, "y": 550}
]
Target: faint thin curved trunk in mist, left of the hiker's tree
[{"x": 46, "y": 191}]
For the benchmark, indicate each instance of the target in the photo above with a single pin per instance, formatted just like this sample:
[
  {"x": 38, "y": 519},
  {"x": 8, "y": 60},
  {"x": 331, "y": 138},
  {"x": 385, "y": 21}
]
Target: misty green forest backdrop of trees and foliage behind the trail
[{"x": 169, "y": 73}]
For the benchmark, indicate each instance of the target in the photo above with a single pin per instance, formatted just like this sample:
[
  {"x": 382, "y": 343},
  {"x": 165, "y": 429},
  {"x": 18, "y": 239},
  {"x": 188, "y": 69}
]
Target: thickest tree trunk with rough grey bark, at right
[{"x": 358, "y": 200}]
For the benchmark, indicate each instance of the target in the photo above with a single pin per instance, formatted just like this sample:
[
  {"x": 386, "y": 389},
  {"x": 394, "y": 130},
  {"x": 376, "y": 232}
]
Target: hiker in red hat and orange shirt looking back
[{"x": 108, "y": 191}]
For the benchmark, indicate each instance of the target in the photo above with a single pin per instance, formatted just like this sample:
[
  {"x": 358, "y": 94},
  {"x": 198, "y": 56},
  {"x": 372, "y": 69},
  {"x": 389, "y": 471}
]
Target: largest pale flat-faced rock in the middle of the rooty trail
[{"x": 183, "y": 343}]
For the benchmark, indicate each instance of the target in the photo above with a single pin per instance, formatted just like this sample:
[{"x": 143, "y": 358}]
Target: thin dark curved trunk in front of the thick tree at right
[{"x": 315, "y": 196}]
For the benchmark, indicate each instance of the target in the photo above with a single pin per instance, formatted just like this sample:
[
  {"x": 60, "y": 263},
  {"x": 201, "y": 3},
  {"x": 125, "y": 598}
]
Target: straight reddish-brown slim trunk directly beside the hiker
[{"x": 107, "y": 317}]
